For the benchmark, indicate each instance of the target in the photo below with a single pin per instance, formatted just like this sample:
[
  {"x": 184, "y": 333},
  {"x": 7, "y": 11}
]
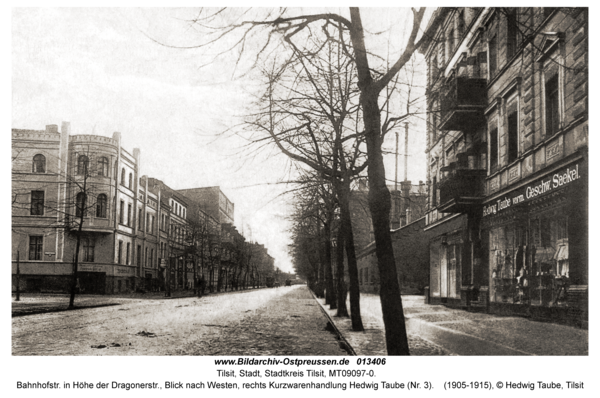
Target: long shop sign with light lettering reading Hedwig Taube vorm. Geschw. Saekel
[{"x": 540, "y": 187}]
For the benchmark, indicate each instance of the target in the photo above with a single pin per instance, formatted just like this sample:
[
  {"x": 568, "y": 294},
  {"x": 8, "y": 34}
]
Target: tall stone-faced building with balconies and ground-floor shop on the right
[{"x": 507, "y": 159}]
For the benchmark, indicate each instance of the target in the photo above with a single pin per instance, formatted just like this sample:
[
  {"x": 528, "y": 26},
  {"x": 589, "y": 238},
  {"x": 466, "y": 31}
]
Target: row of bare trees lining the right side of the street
[{"x": 327, "y": 102}]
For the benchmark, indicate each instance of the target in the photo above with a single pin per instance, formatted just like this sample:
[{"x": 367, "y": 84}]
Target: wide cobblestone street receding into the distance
[{"x": 283, "y": 321}]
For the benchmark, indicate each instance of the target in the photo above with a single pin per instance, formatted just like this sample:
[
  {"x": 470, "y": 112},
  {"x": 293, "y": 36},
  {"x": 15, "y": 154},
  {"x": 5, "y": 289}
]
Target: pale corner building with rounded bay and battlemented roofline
[{"x": 57, "y": 177}]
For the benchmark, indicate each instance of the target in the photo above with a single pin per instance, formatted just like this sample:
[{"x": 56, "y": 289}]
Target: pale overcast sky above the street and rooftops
[{"x": 96, "y": 69}]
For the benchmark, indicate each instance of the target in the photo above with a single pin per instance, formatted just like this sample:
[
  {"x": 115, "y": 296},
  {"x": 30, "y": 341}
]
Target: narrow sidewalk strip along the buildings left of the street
[{"x": 39, "y": 303}]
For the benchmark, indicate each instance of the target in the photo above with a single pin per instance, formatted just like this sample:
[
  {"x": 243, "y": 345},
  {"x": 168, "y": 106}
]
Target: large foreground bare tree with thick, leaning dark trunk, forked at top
[{"x": 241, "y": 32}]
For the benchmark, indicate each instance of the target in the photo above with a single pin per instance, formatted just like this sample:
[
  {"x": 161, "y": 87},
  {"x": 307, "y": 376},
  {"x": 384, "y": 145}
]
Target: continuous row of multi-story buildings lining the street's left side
[{"x": 137, "y": 232}]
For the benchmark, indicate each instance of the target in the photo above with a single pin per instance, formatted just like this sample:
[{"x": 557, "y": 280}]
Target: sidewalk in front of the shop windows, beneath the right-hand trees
[{"x": 437, "y": 330}]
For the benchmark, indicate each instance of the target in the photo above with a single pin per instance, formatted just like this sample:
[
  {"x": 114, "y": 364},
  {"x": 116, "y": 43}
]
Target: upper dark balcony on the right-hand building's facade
[{"x": 462, "y": 102}]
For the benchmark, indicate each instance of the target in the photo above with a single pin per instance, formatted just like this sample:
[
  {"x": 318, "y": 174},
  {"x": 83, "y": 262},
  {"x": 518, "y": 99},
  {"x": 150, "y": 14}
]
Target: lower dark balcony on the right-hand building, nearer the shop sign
[{"x": 461, "y": 190}]
